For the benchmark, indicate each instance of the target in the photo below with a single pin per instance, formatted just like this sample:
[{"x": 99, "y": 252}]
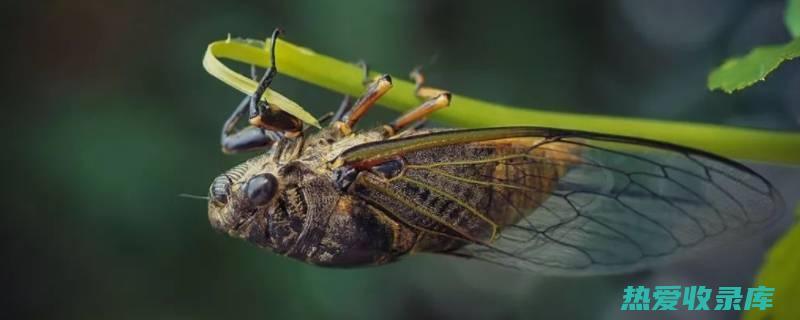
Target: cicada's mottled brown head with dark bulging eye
[{"x": 242, "y": 199}]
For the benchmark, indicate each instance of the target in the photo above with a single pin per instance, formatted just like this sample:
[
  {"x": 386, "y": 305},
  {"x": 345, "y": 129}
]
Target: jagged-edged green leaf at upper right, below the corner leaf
[{"x": 739, "y": 73}]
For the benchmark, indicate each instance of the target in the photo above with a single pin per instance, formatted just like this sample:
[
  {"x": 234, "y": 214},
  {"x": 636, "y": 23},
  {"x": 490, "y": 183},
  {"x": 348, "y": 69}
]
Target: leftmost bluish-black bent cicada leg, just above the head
[{"x": 247, "y": 139}]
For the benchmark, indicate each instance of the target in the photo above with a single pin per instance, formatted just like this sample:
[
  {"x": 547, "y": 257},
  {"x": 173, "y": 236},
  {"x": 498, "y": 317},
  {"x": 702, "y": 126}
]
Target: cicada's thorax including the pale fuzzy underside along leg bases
[{"x": 317, "y": 222}]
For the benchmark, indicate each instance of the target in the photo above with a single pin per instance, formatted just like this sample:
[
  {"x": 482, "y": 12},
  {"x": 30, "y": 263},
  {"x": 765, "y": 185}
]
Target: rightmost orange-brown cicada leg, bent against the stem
[{"x": 435, "y": 99}]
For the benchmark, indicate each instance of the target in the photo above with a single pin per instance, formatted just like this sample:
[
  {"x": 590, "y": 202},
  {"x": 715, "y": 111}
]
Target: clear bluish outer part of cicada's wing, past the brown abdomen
[{"x": 626, "y": 205}]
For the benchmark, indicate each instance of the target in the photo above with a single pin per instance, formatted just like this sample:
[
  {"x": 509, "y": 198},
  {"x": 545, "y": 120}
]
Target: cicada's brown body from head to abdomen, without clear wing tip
[{"x": 392, "y": 208}]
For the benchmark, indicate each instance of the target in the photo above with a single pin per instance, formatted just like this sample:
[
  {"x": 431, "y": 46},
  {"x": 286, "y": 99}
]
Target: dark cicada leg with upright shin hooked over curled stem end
[{"x": 265, "y": 116}]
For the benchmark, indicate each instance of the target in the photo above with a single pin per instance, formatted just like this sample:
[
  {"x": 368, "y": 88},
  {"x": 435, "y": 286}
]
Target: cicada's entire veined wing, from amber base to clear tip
[{"x": 574, "y": 203}]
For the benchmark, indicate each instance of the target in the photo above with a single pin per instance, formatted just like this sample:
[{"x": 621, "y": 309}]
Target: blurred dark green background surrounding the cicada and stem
[{"x": 108, "y": 116}]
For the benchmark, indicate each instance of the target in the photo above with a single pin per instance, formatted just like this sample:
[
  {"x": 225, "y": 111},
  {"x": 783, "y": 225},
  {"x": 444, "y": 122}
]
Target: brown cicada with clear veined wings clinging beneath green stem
[{"x": 550, "y": 200}]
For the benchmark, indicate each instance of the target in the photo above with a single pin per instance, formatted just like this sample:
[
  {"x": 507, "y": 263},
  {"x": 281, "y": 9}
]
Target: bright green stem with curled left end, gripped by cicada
[{"x": 327, "y": 72}]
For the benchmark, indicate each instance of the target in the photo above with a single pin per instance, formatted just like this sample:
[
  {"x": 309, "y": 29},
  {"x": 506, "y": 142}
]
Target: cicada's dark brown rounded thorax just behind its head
[{"x": 318, "y": 224}]
